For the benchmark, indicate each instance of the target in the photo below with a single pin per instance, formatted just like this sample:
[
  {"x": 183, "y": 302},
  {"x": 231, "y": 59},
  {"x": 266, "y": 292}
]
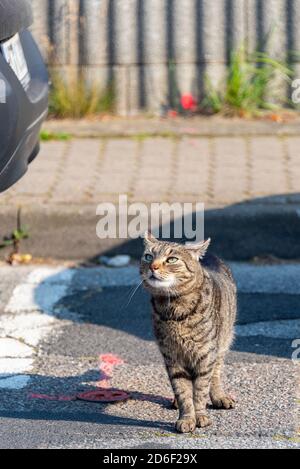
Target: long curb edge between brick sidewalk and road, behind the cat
[{"x": 239, "y": 232}]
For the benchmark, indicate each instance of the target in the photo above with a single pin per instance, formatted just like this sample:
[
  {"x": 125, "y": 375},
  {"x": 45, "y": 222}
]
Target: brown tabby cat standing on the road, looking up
[{"x": 194, "y": 311}]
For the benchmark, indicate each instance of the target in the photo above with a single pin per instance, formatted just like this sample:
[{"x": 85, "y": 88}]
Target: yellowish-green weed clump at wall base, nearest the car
[{"x": 75, "y": 98}]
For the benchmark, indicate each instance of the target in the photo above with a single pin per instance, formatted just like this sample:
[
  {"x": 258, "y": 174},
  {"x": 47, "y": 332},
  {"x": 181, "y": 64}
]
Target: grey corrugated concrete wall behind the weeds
[{"x": 152, "y": 48}]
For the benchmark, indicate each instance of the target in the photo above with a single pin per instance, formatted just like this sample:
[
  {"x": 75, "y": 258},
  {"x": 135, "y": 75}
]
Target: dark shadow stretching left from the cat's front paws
[{"x": 54, "y": 399}]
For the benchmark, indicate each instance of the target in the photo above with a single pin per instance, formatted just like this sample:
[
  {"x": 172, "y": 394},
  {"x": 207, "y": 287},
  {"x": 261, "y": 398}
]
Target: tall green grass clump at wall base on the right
[{"x": 251, "y": 86}]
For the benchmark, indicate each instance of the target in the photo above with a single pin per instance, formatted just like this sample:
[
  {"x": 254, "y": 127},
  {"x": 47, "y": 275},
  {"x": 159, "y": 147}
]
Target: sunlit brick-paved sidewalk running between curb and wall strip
[{"x": 218, "y": 171}]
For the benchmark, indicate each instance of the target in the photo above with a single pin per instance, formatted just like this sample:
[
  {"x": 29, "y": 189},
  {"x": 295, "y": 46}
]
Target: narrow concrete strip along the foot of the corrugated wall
[{"x": 176, "y": 128}]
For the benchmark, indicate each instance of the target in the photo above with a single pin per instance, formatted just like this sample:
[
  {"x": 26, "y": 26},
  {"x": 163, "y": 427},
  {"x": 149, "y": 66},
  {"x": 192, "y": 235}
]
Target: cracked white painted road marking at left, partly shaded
[{"x": 28, "y": 319}]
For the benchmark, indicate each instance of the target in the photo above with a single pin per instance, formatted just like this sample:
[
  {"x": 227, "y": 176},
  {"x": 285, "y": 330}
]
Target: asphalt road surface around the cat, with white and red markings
[{"x": 66, "y": 331}]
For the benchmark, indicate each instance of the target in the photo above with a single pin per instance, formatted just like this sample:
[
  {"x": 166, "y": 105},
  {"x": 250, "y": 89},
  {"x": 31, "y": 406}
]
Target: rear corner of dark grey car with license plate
[{"x": 23, "y": 91}]
